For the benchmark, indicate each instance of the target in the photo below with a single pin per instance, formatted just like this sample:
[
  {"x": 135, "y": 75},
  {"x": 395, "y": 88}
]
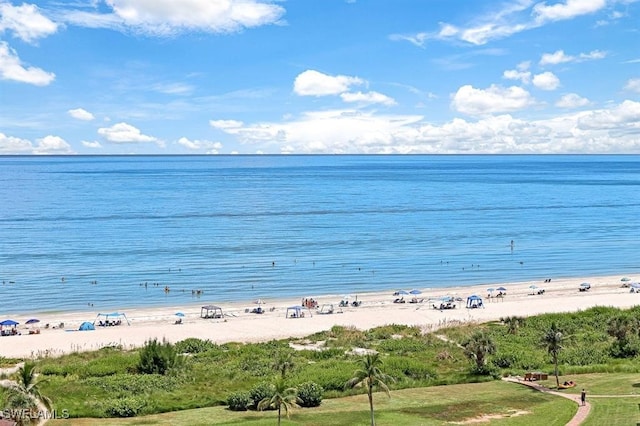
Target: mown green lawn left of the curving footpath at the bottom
[{"x": 506, "y": 403}]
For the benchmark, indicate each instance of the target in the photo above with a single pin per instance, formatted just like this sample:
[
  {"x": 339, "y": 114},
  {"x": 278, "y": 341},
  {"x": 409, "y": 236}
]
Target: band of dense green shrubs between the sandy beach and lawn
[{"x": 195, "y": 373}]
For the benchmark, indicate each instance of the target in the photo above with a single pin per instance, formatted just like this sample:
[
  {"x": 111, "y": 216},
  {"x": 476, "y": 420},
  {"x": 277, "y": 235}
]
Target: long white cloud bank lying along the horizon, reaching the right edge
[{"x": 614, "y": 130}]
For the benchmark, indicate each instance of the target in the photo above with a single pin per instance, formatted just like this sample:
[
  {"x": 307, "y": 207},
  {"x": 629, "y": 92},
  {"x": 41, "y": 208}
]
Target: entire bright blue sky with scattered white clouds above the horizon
[{"x": 319, "y": 76}]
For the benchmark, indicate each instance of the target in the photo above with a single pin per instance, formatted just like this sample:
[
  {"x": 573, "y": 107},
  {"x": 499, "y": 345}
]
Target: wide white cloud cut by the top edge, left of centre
[{"x": 168, "y": 17}]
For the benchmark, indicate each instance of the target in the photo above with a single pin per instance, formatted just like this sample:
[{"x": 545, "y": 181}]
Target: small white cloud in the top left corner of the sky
[{"x": 25, "y": 21}]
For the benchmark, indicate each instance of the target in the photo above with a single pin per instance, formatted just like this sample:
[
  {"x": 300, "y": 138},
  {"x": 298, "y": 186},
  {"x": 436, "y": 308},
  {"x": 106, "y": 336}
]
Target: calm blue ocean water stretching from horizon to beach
[{"x": 111, "y": 232}]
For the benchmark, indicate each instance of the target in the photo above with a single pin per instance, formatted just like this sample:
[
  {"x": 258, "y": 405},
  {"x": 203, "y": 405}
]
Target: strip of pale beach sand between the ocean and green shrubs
[{"x": 377, "y": 309}]
